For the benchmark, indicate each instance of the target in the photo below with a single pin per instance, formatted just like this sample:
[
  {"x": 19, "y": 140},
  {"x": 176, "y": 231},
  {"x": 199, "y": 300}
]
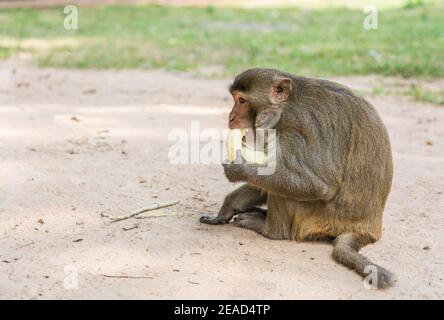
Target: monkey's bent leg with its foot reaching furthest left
[{"x": 239, "y": 200}]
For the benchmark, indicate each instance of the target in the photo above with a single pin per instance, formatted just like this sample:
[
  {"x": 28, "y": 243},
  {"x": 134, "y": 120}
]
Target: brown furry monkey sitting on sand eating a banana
[{"x": 333, "y": 165}]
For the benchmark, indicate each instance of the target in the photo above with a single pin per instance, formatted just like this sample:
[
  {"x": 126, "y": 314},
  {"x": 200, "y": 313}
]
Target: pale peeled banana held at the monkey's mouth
[{"x": 237, "y": 140}]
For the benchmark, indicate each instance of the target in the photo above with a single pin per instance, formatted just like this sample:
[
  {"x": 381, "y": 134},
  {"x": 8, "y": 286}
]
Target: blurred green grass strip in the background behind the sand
[{"x": 321, "y": 42}]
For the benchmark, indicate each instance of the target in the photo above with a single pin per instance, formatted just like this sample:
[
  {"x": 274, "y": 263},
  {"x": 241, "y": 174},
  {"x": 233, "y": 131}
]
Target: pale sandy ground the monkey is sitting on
[{"x": 76, "y": 144}]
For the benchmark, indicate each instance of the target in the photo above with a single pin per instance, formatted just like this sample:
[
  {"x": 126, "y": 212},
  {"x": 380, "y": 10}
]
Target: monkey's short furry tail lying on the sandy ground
[{"x": 346, "y": 252}]
